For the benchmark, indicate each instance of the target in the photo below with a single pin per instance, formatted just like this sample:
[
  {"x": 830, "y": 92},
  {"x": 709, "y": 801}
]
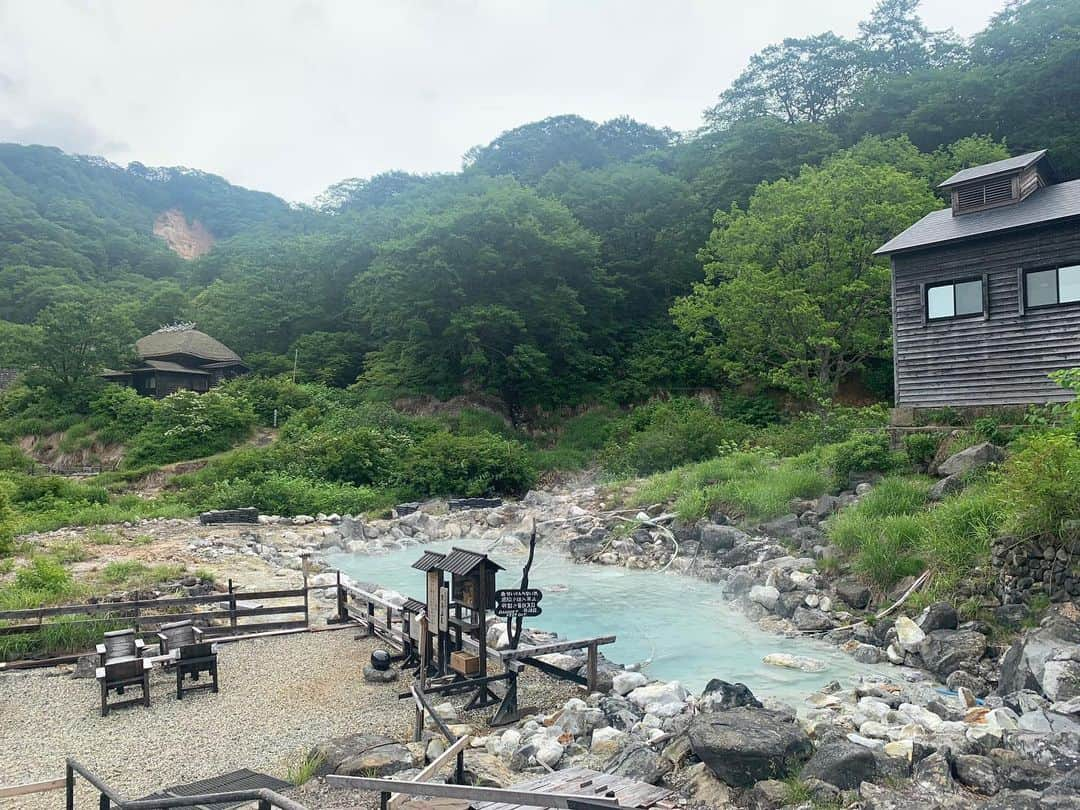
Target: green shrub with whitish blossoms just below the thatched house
[{"x": 187, "y": 426}]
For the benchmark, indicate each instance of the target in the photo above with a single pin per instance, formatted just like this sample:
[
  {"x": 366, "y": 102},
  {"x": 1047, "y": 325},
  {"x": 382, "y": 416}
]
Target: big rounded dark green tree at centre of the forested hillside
[{"x": 501, "y": 293}]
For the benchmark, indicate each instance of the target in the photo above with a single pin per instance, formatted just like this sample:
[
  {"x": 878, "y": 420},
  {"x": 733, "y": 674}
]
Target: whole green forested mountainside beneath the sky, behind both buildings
[{"x": 574, "y": 261}]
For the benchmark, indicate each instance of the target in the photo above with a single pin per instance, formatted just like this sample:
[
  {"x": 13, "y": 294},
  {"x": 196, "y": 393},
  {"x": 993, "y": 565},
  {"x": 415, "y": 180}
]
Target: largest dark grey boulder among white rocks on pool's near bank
[{"x": 746, "y": 746}]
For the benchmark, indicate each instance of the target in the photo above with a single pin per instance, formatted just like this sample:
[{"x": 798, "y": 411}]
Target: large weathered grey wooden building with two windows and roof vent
[{"x": 987, "y": 293}]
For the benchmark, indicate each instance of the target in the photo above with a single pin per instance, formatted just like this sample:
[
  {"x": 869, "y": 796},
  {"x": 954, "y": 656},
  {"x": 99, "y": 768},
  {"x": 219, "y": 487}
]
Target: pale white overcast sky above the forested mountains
[{"x": 292, "y": 96}]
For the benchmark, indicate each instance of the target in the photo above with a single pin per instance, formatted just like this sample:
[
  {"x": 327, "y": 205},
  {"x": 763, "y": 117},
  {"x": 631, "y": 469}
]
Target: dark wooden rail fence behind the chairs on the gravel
[{"x": 146, "y": 616}]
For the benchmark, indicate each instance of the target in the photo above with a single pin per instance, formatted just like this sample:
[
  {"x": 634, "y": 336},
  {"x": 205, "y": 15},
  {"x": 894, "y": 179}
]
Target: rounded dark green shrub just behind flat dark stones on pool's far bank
[{"x": 444, "y": 465}]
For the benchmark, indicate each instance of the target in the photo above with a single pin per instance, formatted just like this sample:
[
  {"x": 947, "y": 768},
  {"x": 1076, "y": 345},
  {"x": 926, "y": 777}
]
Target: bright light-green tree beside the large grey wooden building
[{"x": 792, "y": 293}]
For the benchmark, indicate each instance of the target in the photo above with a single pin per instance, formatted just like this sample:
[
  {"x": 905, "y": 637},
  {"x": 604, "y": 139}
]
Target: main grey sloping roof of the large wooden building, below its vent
[{"x": 1051, "y": 204}]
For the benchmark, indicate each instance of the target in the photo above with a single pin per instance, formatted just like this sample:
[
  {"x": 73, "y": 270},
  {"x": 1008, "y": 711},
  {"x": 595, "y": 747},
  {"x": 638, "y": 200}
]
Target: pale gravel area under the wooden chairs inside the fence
[{"x": 280, "y": 696}]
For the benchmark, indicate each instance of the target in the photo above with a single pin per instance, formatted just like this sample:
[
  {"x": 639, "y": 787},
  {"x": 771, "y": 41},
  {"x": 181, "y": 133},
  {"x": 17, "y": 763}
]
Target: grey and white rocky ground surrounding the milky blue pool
[{"x": 966, "y": 718}]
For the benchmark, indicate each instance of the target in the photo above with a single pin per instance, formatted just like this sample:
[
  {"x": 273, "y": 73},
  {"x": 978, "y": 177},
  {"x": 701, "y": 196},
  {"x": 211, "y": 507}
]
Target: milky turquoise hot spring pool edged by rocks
[{"x": 682, "y": 626}]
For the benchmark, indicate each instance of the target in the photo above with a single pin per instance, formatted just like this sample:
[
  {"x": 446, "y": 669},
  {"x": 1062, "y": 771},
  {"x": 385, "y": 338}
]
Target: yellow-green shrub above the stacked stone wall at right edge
[{"x": 1039, "y": 487}]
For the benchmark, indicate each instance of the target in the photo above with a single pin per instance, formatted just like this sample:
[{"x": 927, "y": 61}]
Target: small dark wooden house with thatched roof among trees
[{"x": 179, "y": 358}]
